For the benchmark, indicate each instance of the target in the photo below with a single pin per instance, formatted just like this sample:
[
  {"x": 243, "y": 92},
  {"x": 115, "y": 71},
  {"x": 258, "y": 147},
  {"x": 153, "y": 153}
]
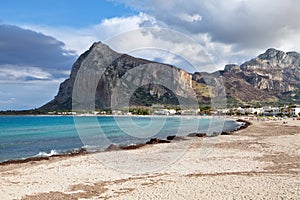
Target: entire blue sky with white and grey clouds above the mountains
[{"x": 40, "y": 40}]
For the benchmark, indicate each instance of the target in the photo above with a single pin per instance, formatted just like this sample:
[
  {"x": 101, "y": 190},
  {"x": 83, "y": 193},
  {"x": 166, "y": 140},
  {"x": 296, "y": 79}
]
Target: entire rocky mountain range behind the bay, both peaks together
[{"x": 102, "y": 78}]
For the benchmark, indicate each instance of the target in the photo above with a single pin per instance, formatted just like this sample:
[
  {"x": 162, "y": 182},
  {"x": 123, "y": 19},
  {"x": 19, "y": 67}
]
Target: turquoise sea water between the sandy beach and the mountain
[{"x": 28, "y": 136}]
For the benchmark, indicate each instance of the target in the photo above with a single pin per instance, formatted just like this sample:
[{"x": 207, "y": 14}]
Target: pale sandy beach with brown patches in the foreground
[{"x": 259, "y": 162}]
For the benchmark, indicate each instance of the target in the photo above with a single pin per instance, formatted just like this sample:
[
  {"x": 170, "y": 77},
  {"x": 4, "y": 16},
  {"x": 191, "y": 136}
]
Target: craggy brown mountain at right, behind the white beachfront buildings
[{"x": 273, "y": 76}]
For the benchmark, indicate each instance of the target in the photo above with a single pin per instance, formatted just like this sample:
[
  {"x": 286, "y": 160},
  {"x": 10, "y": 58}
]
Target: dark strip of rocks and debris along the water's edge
[{"x": 114, "y": 147}]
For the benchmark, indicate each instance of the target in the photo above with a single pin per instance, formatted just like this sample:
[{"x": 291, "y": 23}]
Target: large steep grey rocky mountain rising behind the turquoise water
[{"x": 121, "y": 80}]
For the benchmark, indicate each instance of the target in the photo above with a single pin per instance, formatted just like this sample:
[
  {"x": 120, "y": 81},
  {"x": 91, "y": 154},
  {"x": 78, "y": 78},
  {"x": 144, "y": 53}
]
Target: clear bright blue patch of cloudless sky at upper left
[{"x": 73, "y": 13}]
